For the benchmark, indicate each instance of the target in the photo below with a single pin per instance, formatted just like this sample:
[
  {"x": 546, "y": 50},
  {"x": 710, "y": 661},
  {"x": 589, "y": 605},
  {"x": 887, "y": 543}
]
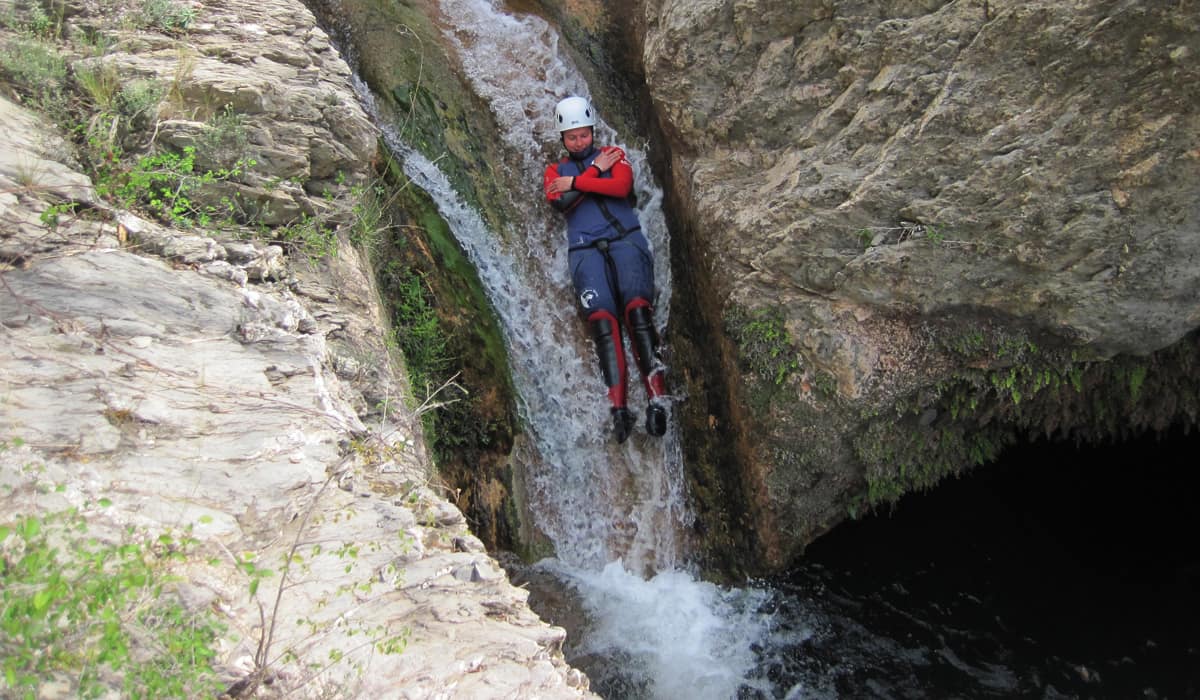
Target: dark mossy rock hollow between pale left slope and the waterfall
[{"x": 454, "y": 346}]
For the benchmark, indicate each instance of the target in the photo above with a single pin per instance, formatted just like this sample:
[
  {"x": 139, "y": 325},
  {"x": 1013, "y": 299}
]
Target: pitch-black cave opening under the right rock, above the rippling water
[{"x": 1082, "y": 554}]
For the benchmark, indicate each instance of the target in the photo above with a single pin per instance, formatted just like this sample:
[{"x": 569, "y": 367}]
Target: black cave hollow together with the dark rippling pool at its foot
[{"x": 1059, "y": 572}]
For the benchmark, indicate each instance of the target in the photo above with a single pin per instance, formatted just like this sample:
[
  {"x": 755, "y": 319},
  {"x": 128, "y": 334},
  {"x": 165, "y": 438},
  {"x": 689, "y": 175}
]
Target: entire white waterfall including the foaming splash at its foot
[{"x": 615, "y": 513}]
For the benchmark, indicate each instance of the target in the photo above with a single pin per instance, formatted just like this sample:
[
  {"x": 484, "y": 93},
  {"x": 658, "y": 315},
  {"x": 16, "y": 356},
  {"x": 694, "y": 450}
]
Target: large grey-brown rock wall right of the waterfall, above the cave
[{"x": 896, "y": 176}]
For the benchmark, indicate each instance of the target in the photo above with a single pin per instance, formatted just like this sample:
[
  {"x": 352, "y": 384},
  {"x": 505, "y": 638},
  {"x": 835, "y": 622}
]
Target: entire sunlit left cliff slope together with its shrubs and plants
[{"x": 165, "y": 214}]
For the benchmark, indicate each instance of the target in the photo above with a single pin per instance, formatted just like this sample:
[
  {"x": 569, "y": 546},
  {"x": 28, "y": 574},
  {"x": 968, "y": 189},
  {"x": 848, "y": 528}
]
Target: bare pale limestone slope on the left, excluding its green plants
[{"x": 163, "y": 380}]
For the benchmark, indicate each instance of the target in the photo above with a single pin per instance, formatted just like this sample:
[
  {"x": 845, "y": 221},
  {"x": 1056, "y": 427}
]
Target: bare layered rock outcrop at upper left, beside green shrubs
[{"x": 281, "y": 89}]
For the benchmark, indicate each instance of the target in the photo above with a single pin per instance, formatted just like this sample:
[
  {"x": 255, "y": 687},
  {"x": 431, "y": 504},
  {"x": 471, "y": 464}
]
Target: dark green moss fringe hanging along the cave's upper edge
[{"x": 969, "y": 420}]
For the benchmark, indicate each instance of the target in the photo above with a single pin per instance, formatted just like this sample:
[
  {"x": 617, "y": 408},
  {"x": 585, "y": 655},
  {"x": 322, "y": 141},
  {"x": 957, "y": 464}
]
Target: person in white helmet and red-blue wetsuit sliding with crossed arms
[{"x": 611, "y": 265}]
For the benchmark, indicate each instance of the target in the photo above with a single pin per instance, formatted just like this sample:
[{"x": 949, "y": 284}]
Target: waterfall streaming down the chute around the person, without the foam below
[{"x": 597, "y": 501}]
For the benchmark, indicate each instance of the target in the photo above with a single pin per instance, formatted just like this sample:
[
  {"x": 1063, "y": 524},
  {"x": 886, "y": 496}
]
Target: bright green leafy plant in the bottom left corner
[{"x": 97, "y": 614}]
